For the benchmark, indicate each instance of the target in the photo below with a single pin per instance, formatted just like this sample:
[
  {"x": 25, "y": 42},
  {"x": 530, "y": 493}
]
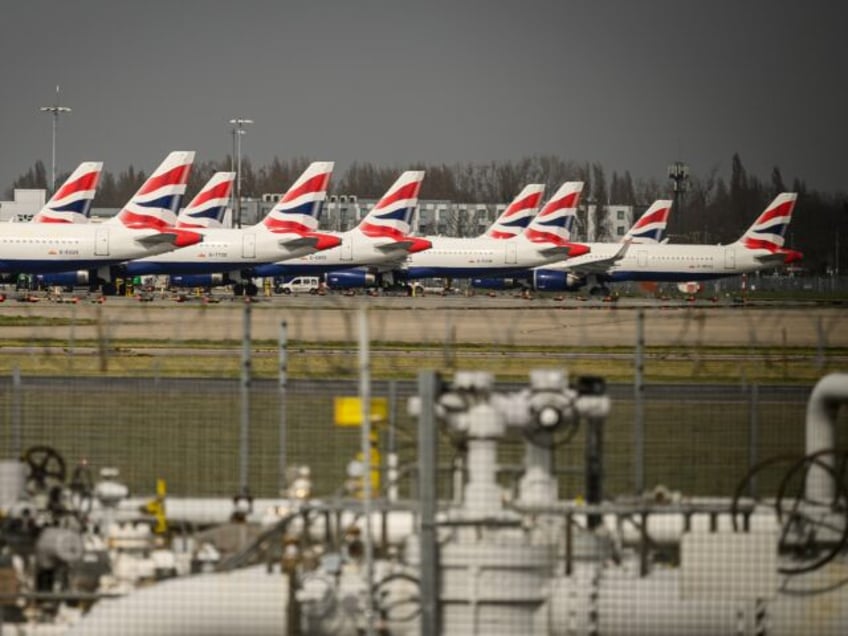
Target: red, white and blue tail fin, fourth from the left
[{"x": 299, "y": 208}]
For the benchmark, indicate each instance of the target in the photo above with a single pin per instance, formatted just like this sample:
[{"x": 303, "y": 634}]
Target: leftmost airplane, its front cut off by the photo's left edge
[{"x": 144, "y": 226}]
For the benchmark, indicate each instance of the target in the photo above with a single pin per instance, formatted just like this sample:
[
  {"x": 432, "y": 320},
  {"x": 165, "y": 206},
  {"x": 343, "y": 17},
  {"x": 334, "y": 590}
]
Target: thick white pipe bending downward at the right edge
[{"x": 822, "y": 410}]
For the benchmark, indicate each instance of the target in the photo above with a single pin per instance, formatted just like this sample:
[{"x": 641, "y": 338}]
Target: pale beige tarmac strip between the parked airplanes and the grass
[{"x": 434, "y": 319}]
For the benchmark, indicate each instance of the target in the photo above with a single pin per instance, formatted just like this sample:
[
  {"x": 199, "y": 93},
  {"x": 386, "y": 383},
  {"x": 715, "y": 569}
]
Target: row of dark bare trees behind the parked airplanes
[{"x": 711, "y": 210}]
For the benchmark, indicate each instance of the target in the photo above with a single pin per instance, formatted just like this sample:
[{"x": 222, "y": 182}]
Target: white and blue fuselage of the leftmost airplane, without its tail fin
[{"x": 35, "y": 248}]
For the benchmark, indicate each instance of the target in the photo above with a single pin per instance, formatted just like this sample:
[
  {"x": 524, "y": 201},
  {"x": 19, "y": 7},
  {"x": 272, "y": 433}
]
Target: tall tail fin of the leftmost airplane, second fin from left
[{"x": 155, "y": 204}]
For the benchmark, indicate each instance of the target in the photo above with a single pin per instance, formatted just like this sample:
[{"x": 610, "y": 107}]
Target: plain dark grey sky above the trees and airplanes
[{"x": 633, "y": 85}]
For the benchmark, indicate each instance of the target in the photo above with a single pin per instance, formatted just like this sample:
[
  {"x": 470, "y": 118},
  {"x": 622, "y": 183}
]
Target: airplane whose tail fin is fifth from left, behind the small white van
[{"x": 379, "y": 243}]
